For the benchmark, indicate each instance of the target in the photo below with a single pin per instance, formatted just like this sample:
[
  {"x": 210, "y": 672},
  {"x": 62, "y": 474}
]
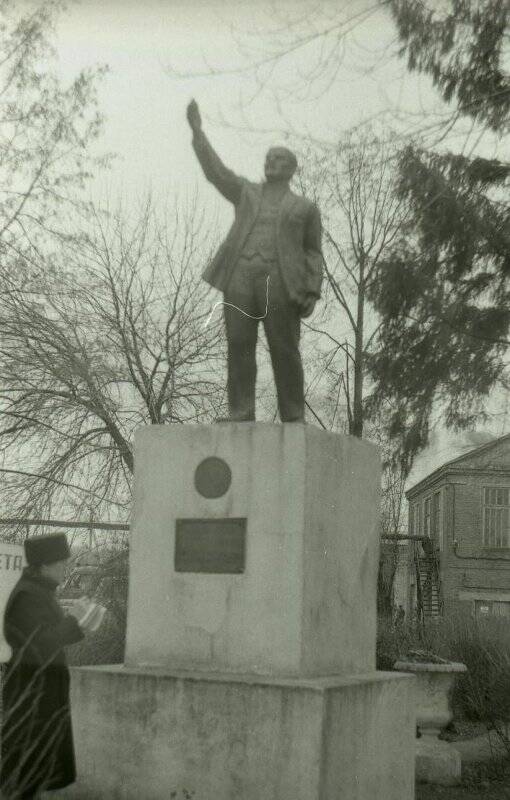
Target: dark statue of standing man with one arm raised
[{"x": 269, "y": 268}]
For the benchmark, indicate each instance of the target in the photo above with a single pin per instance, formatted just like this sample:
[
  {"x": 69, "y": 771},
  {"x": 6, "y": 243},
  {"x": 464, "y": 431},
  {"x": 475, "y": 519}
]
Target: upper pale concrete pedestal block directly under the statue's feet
[{"x": 306, "y": 601}]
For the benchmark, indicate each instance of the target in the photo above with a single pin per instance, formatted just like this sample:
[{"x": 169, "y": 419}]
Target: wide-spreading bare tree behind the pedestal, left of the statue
[{"x": 114, "y": 332}]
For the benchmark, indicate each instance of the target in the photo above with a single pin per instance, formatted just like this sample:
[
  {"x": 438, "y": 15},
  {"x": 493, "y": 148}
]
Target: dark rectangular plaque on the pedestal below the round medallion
[{"x": 210, "y": 545}]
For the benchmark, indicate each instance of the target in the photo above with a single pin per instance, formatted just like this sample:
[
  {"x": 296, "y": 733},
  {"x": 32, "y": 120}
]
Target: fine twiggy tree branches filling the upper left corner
[{"x": 47, "y": 129}]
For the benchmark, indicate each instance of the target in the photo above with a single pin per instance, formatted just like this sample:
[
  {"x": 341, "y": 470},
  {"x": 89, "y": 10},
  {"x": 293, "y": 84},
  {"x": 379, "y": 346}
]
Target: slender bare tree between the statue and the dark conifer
[{"x": 355, "y": 188}]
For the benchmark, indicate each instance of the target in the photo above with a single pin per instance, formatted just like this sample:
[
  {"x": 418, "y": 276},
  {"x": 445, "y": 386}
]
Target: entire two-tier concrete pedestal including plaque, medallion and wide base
[{"x": 250, "y": 656}]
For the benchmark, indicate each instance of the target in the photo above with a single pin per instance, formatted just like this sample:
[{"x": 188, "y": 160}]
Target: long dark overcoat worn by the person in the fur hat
[{"x": 37, "y": 741}]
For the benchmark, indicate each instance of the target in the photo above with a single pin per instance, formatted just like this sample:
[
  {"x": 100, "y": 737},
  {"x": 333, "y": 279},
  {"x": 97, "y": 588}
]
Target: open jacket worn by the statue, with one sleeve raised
[{"x": 298, "y": 229}]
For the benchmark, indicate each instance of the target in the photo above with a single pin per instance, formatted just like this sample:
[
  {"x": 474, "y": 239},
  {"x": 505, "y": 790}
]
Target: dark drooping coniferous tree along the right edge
[{"x": 443, "y": 293}]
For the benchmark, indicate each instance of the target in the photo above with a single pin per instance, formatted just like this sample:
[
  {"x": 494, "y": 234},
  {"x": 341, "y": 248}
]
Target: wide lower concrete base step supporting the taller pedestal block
[{"x": 141, "y": 735}]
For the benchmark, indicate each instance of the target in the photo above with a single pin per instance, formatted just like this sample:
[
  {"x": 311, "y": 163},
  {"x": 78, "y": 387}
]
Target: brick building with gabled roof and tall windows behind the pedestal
[{"x": 462, "y": 512}]
